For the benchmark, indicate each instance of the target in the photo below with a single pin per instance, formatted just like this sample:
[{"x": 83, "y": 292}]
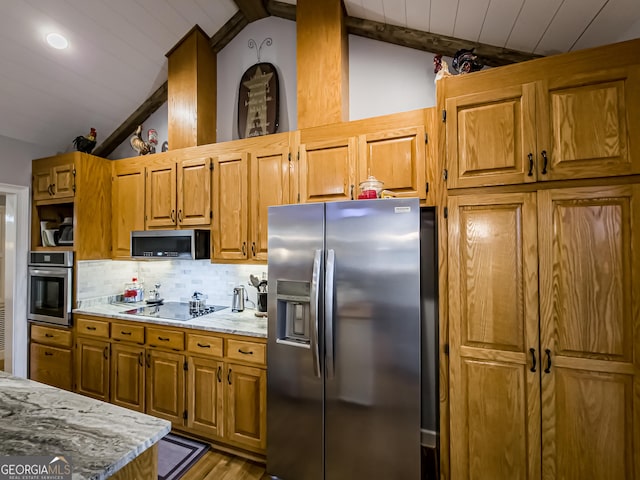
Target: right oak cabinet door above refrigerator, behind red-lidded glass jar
[{"x": 397, "y": 158}]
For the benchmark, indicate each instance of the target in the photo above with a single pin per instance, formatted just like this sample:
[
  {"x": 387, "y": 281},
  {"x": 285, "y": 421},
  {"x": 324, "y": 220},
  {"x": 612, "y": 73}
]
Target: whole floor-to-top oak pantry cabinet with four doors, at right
[{"x": 544, "y": 268}]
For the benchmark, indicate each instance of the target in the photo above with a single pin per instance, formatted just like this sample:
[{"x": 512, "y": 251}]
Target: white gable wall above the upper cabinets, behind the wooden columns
[{"x": 383, "y": 79}]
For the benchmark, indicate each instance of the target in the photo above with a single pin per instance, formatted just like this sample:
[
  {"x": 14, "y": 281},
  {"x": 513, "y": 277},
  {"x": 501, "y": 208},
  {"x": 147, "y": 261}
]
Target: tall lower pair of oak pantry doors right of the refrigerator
[{"x": 544, "y": 291}]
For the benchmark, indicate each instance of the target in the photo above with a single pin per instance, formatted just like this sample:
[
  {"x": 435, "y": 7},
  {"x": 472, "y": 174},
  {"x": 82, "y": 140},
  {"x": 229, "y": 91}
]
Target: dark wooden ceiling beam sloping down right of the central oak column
[{"x": 434, "y": 43}]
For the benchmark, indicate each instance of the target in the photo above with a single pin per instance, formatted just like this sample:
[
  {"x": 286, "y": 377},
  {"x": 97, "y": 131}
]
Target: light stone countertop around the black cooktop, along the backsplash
[{"x": 224, "y": 321}]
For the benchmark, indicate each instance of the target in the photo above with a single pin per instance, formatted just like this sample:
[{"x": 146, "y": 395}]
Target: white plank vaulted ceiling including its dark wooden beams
[{"x": 117, "y": 56}]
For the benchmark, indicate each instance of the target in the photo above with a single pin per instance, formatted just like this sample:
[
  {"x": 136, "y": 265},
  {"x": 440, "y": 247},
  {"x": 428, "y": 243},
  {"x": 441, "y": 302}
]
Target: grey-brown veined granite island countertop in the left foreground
[{"x": 100, "y": 438}]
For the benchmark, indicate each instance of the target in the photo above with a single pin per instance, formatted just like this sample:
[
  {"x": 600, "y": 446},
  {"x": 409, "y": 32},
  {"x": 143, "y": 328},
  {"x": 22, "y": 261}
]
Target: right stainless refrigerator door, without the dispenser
[{"x": 372, "y": 390}]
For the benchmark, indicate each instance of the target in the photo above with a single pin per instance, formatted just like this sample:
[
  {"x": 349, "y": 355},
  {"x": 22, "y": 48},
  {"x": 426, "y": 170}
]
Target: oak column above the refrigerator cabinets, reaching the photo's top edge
[{"x": 323, "y": 63}]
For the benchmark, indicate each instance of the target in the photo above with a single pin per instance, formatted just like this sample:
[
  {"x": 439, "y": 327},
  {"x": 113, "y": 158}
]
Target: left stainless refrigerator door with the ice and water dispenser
[{"x": 294, "y": 380}]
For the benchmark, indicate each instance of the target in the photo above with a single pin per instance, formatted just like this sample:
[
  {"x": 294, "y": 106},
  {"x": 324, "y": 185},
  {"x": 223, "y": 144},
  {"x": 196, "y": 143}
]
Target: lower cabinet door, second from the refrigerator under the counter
[{"x": 205, "y": 397}]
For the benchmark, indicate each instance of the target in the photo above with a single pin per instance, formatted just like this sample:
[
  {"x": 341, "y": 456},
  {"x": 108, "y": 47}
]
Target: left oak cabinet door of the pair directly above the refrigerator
[{"x": 328, "y": 170}]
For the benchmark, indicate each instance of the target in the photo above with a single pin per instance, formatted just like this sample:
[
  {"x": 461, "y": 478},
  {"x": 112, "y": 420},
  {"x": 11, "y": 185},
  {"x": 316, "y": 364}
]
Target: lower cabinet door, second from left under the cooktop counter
[{"x": 128, "y": 376}]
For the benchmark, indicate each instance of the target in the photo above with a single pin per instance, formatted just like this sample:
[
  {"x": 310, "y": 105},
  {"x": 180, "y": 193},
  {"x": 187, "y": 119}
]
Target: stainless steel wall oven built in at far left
[{"x": 50, "y": 287}]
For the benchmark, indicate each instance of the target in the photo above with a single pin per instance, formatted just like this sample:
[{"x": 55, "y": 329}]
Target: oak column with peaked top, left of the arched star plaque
[{"x": 192, "y": 91}]
